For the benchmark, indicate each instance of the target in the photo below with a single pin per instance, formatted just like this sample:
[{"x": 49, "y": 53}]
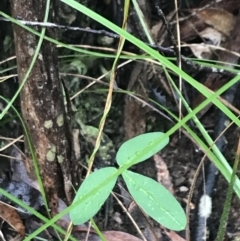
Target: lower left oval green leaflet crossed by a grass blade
[{"x": 90, "y": 206}]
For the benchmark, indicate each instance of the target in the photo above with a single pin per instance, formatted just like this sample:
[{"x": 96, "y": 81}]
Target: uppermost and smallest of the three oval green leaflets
[{"x": 131, "y": 147}]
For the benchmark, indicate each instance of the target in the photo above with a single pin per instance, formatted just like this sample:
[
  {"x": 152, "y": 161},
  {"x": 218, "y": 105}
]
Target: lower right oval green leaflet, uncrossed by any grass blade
[{"x": 156, "y": 201}]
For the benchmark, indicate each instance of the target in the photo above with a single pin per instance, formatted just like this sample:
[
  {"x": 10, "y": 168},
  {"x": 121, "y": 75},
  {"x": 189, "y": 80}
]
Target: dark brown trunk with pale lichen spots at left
[{"x": 42, "y": 104}]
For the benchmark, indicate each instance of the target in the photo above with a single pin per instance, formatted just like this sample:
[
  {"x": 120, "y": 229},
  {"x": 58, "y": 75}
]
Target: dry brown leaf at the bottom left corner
[{"x": 9, "y": 214}]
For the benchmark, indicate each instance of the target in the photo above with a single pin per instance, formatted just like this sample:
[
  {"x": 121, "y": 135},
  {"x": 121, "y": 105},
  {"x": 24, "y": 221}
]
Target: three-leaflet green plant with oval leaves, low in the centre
[{"x": 151, "y": 196}]
